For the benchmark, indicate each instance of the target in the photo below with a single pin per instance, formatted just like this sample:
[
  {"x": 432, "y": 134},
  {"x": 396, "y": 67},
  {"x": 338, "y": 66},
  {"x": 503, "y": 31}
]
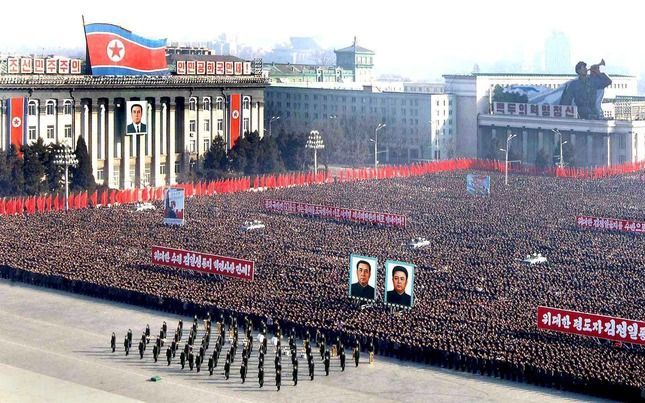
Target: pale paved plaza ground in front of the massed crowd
[{"x": 55, "y": 347}]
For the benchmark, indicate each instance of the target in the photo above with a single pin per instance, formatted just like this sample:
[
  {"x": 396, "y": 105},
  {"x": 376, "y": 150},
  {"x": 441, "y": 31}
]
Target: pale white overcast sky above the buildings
[{"x": 418, "y": 39}]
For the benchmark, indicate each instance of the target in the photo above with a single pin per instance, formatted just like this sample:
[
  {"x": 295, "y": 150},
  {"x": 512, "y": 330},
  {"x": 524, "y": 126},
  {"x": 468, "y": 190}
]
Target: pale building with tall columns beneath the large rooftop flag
[{"x": 185, "y": 113}]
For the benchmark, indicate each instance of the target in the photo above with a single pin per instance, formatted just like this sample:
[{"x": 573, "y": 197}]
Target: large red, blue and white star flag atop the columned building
[{"x": 117, "y": 51}]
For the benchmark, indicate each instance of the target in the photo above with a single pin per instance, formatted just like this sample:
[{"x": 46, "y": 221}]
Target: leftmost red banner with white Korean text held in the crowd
[{"x": 203, "y": 262}]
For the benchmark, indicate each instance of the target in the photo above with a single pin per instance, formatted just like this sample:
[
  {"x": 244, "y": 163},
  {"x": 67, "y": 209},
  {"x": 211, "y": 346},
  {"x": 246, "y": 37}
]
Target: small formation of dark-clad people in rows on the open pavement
[{"x": 195, "y": 357}]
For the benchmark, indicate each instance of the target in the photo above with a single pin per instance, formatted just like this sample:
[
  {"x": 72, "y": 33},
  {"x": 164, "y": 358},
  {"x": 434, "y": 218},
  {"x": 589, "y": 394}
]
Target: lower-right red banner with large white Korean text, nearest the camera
[{"x": 588, "y": 324}]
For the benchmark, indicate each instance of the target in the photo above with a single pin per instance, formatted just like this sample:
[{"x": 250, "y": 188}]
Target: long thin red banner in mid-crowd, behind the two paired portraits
[{"x": 336, "y": 213}]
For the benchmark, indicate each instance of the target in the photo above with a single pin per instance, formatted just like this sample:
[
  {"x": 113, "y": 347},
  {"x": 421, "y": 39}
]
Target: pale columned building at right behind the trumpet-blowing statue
[{"x": 613, "y": 140}]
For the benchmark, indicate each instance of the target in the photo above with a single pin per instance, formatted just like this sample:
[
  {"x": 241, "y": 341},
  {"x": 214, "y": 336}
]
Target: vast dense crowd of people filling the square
[{"x": 475, "y": 301}]
